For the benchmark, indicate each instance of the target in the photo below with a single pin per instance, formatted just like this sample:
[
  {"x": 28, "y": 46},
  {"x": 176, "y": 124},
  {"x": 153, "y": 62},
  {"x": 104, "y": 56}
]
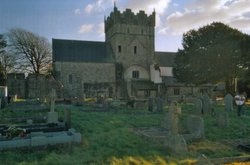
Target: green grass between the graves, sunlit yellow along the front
[{"x": 110, "y": 138}]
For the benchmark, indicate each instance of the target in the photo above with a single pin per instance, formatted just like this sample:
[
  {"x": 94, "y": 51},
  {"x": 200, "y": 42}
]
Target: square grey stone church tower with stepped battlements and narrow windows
[{"x": 131, "y": 38}]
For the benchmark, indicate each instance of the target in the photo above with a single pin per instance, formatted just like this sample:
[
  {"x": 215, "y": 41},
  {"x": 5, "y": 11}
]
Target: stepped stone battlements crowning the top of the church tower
[{"x": 128, "y": 17}]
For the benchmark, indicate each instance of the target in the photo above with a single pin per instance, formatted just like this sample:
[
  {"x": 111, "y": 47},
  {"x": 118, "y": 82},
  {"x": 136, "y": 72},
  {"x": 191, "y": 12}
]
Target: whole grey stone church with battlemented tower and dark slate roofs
[{"x": 124, "y": 65}]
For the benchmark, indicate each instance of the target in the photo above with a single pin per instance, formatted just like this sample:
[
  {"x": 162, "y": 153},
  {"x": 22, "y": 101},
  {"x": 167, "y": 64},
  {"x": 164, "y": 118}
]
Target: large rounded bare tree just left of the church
[{"x": 33, "y": 52}]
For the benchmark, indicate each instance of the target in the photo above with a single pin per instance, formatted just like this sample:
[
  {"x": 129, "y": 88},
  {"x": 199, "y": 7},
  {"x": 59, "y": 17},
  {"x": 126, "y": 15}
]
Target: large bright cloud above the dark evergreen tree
[{"x": 200, "y": 13}]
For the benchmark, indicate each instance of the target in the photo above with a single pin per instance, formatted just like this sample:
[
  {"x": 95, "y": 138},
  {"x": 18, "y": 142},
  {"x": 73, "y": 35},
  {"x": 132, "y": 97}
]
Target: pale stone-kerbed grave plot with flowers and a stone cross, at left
[{"x": 30, "y": 134}]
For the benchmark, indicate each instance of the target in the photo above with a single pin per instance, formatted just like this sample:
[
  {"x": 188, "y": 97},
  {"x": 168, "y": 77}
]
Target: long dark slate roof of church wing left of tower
[{"x": 81, "y": 51}]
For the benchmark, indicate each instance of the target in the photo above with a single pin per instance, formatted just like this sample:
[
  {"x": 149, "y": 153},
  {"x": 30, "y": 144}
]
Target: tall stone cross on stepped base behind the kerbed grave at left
[{"x": 52, "y": 115}]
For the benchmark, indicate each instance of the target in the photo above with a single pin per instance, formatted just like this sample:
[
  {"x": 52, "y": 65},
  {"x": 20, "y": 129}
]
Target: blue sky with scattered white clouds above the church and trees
[{"x": 84, "y": 19}]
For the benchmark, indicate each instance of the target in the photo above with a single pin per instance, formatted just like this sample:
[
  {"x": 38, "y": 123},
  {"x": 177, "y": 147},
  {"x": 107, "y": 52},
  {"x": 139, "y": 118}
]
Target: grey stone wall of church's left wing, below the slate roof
[{"x": 74, "y": 75}]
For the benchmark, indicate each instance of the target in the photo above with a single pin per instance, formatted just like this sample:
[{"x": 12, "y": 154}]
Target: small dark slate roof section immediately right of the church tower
[{"x": 165, "y": 58}]
